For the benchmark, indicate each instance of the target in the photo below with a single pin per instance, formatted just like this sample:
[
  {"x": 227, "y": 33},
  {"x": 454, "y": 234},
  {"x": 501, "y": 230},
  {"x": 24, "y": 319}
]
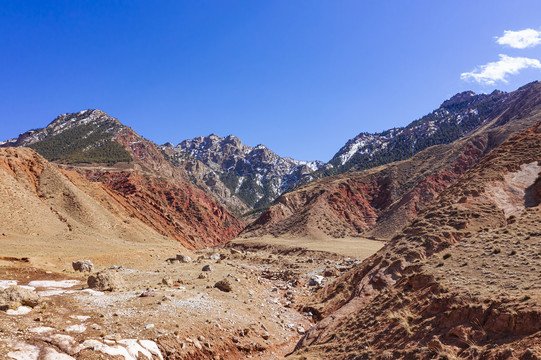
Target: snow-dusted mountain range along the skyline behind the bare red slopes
[{"x": 245, "y": 179}]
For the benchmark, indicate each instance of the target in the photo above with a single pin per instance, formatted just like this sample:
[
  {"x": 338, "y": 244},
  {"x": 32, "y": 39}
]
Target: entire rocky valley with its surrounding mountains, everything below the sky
[{"x": 213, "y": 249}]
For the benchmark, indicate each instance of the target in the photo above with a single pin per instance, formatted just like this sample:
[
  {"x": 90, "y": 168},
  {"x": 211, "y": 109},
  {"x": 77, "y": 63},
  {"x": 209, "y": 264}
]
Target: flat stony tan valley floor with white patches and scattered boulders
[{"x": 184, "y": 315}]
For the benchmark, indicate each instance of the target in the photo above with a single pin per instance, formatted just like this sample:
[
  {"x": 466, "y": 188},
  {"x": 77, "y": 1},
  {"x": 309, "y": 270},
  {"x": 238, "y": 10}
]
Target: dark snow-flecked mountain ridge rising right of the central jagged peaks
[{"x": 454, "y": 119}]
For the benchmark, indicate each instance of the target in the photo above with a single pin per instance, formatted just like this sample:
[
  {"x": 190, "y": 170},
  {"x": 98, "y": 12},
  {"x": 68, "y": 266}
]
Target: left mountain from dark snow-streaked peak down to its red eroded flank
[{"x": 148, "y": 187}]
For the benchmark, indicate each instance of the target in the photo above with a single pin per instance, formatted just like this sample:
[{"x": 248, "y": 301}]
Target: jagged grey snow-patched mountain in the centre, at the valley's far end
[{"x": 256, "y": 175}]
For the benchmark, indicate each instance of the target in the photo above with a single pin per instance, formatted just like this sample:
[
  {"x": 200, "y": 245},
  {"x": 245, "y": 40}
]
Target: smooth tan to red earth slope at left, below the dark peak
[{"x": 43, "y": 202}]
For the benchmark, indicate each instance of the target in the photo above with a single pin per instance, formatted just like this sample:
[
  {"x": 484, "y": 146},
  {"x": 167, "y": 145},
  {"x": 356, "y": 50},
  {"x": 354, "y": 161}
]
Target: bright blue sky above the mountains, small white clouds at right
[{"x": 301, "y": 77}]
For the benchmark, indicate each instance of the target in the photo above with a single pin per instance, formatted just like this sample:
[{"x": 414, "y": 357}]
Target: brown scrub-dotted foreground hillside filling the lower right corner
[{"x": 459, "y": 281}]
